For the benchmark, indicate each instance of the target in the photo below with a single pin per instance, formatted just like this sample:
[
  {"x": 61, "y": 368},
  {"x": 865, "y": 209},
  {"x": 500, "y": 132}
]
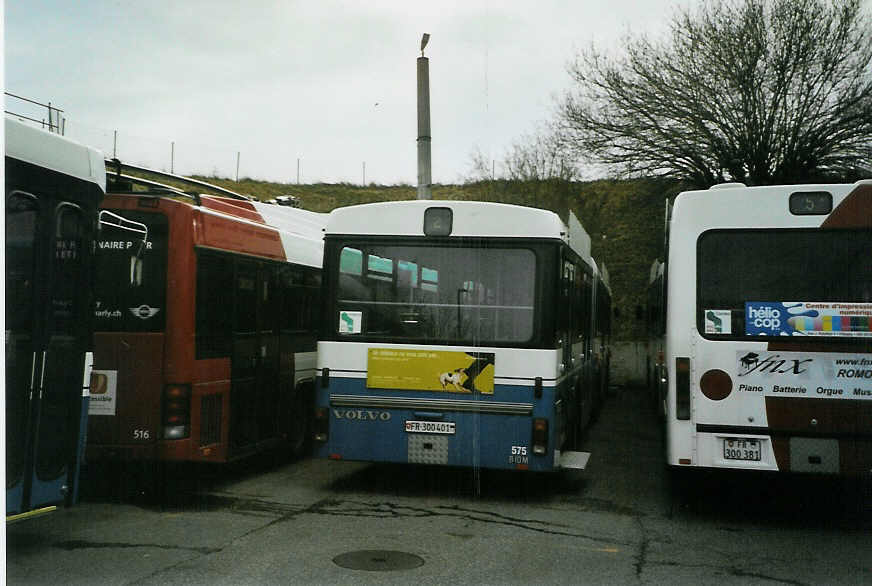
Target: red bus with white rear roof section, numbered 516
[{"x": 204, "y": 327}]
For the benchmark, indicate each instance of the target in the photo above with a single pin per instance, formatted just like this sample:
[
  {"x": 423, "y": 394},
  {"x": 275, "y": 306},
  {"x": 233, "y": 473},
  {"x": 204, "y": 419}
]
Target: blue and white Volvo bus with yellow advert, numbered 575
[{"x": 458, "y": 333}]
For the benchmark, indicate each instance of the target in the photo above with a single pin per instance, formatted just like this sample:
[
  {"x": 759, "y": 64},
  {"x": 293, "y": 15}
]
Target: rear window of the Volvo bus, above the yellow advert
[{"x": 436, "y": 294}]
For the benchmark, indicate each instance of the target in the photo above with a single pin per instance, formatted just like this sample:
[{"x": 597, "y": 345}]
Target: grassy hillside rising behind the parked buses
[{"x": 623, "y": 218}]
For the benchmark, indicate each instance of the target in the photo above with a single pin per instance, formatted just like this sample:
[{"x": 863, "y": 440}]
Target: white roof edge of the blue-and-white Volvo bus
[{"x": 469, "y": 219}]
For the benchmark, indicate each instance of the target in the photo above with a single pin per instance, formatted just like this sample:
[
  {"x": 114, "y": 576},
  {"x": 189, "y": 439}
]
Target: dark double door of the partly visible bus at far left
[{"x": 46, "y": 341}]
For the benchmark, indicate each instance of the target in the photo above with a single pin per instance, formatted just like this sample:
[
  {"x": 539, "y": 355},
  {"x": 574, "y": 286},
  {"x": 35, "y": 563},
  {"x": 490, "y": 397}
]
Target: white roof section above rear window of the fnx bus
[{"x": 737, "y": 206}]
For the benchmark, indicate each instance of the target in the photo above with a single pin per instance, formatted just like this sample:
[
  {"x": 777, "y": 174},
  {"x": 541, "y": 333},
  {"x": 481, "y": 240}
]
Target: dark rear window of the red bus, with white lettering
[{"x": 131, "y": 272}]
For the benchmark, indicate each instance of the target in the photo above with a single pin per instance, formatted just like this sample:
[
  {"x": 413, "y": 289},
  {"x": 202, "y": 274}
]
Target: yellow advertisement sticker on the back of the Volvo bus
[{"x": 430, "y": 370}]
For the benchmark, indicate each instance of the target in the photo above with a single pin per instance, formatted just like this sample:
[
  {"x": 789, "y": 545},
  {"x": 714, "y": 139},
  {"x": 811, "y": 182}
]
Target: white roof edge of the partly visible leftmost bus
[{"x": 53, "y": 151}]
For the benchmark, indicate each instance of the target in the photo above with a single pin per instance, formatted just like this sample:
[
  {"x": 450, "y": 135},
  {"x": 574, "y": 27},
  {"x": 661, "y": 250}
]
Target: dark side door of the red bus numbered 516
[{"x": 254, "y": 366}]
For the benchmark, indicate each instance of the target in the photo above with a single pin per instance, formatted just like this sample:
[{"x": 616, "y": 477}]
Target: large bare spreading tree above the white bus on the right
[{"x": 759, "y": 91}]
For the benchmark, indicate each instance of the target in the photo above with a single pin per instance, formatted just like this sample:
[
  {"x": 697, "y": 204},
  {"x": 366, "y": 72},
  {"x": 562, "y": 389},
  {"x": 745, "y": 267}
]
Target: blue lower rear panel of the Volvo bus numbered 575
[{"x": 436, "y": 428}]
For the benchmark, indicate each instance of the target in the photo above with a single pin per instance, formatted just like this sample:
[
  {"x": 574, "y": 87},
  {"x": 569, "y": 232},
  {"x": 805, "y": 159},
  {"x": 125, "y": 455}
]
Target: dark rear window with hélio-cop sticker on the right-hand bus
[{"x": 784, "y": 282}]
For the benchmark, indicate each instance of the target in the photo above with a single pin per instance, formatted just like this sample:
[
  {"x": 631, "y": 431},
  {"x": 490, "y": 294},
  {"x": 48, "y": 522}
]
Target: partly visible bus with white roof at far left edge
[{"x": 53, "y": 188}]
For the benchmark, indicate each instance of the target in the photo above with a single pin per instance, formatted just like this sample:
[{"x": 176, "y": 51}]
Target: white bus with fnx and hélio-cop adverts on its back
[{"x": 768, "y": 345}]
